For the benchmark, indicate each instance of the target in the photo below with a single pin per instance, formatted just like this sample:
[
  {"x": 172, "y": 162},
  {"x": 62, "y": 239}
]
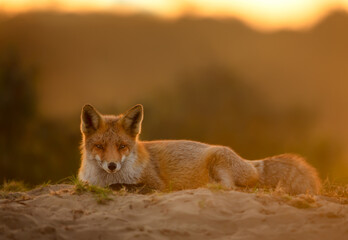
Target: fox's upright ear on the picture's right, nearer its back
[{"x": 132, "y": 119}]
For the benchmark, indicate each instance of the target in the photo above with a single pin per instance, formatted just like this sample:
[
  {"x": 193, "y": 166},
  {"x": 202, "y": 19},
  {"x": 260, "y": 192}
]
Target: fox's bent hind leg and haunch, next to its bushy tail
[{"x": 229, "y": 169}]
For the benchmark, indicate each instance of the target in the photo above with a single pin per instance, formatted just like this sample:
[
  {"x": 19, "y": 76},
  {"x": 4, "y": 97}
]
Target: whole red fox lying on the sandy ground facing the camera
[{"x": 113, "y": 154}]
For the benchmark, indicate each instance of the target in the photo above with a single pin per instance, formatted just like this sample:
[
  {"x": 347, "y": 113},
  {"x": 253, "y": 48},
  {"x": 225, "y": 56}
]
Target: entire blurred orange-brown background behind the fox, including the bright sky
[{"x": 263, "y": 77}]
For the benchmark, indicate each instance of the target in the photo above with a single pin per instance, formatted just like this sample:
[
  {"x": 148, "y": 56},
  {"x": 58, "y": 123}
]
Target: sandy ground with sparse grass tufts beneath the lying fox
[{"x": 54, "y": 212}]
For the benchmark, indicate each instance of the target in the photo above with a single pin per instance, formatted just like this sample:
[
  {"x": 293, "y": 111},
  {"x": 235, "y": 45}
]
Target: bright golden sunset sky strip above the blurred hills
[{"x": 260, "y": 14}]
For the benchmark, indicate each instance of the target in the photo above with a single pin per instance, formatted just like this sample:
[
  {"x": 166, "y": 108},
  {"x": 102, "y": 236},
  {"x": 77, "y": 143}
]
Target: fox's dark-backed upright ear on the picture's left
[{"x": 90, "y": 119}]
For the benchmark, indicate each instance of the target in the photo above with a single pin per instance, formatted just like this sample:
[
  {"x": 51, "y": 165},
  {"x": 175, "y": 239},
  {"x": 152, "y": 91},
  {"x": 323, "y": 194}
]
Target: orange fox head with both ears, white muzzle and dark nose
[{"x": 110, "y": 140}]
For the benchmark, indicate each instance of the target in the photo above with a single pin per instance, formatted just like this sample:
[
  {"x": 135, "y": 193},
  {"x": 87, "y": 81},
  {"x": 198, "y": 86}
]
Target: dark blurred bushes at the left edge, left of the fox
[{"x": 32, "y": 148}]
